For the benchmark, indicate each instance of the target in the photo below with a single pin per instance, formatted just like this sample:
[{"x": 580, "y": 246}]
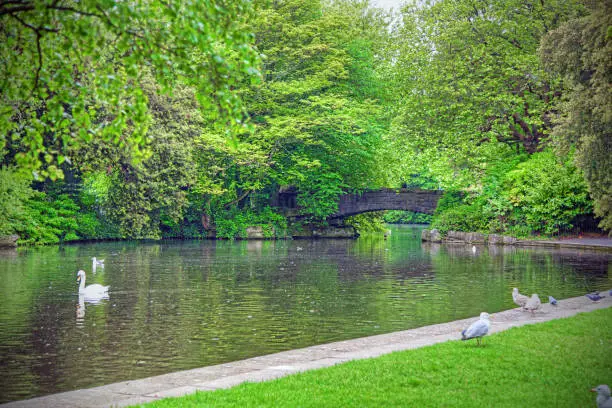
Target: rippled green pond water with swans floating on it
[{"x": 183, "y": 304}]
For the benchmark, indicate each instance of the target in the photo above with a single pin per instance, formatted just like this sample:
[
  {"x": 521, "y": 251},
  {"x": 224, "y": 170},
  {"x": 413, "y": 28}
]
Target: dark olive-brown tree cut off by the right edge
[{"x": 580, "y": 51}]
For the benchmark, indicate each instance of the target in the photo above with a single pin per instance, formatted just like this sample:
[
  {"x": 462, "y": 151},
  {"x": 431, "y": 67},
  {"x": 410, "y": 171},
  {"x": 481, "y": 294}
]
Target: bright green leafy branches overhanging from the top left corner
[{"x": 71, "y": 71}]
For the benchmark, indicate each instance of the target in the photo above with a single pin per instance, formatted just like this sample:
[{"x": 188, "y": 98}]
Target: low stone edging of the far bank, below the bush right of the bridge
[{"x": 477, "y": 238}]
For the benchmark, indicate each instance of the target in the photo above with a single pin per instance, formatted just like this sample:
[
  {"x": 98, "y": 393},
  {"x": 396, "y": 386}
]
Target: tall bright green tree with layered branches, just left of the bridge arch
[{"x": 317, "y": 113}]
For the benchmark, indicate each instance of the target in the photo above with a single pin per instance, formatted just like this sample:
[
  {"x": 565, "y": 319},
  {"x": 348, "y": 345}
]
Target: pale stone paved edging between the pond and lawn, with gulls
[{"x": 289, "y": 362}]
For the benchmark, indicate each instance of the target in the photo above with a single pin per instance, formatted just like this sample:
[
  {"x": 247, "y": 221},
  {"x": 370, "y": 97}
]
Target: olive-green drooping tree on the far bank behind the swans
[{"x": 141, "y": 196}]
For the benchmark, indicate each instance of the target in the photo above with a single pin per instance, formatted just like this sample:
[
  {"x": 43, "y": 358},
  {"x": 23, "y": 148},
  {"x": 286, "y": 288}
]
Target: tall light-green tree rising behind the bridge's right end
[{"x": 471, "y": 84}]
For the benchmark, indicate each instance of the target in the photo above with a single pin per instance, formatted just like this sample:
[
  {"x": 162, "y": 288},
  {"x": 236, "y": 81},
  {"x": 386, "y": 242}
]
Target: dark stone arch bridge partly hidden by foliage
[{"x": 423, "y": 201}]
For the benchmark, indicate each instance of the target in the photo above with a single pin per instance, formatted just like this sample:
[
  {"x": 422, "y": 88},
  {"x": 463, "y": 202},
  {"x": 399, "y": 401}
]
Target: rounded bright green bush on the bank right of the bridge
[{"x": 530, "y": 194}]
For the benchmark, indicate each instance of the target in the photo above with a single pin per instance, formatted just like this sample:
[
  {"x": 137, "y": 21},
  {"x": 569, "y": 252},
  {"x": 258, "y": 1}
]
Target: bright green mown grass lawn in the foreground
[{"x": 552, "y": 364}]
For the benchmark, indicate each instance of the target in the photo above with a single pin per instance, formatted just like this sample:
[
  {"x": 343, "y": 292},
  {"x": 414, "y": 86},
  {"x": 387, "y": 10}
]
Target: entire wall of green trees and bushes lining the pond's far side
[{"x": 185, "y": 127}]
